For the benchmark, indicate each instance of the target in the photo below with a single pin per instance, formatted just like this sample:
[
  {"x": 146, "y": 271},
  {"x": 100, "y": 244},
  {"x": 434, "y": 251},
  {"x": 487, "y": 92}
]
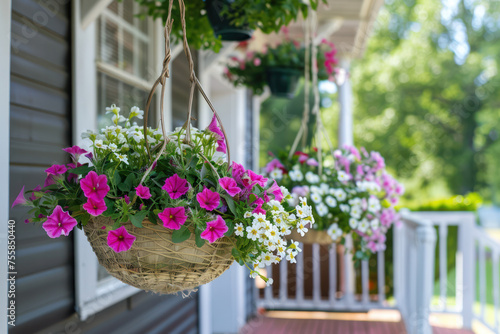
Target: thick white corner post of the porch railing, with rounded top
[{"x": 426, "y": 245}]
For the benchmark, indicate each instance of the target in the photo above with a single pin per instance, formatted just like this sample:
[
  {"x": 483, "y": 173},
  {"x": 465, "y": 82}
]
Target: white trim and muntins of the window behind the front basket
[{"x": 93, "y": 296}]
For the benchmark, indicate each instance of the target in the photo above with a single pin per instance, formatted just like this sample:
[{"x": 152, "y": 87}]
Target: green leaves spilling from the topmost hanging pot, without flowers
[{"x": 260, "y": 14}]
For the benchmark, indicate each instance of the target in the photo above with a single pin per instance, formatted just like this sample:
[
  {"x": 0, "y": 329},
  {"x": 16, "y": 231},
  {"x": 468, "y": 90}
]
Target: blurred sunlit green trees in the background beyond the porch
[{"x": 427, "y": 97}]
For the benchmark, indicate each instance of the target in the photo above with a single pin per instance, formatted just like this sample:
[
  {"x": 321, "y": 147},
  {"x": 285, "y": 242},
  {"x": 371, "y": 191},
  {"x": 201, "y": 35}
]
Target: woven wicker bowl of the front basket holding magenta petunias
[{"x": 155, "y": 263}]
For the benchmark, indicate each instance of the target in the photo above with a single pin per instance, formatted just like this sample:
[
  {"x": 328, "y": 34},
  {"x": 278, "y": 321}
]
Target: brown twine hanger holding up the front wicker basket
[{"x": 195, "y": 83}]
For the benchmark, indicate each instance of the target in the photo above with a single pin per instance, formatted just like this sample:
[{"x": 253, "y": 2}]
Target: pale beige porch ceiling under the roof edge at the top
[{"x": 347, "y": 23}]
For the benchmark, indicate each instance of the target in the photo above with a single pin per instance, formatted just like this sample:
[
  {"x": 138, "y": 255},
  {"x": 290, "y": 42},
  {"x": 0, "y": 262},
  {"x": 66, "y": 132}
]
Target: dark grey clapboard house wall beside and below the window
[{"x": 40, "y": 113}]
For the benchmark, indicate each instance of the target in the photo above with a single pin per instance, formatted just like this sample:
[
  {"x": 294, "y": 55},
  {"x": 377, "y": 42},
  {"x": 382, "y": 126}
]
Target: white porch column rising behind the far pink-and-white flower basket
[{"x": 345, "y": 102}]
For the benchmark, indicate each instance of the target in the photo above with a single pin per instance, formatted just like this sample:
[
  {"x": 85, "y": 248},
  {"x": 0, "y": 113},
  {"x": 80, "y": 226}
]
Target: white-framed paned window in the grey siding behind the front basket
[{"x": 116, "y": 59}]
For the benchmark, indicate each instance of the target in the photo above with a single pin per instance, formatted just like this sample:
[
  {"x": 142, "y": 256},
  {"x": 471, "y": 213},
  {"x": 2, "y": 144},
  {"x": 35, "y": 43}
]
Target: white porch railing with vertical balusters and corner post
[{"x": 422, "y": 239}]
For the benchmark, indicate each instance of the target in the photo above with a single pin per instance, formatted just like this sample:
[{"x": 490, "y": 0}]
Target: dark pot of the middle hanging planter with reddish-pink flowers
[{"x": 283, "y": 81}]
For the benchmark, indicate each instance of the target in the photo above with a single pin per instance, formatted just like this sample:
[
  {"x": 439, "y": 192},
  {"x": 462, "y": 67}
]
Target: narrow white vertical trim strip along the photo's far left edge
[{"x": 6, "y": 11}]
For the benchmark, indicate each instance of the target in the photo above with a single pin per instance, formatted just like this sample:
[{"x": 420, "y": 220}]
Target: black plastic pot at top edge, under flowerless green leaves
[{"x": 222, "y": 26}]
